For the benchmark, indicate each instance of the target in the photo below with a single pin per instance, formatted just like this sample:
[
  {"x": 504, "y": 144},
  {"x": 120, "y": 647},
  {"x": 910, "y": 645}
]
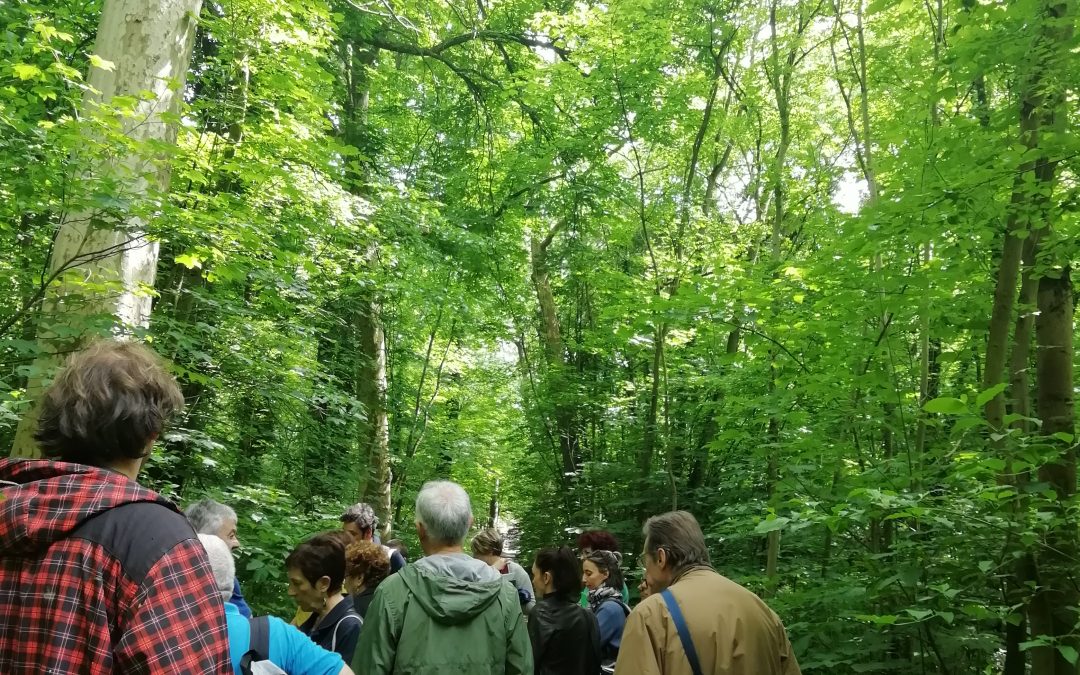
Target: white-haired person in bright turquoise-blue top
[{"x": 289, "y": 649}]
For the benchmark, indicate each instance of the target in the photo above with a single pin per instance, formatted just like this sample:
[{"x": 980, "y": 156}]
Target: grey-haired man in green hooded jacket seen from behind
[{"x": 448, "y": 613}]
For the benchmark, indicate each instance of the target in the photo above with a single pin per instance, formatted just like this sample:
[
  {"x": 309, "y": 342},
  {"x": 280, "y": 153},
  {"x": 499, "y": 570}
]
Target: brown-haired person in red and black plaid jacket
[{"x": 100, "y": 576}]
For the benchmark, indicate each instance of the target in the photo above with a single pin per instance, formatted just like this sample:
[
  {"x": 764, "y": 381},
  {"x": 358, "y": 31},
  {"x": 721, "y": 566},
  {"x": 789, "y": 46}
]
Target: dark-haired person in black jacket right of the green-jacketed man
[{"x": 564, "y": 634}]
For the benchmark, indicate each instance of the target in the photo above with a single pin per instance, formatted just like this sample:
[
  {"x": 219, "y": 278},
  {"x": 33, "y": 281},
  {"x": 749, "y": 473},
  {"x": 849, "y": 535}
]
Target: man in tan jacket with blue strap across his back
[{"x": 732, "y": 631}]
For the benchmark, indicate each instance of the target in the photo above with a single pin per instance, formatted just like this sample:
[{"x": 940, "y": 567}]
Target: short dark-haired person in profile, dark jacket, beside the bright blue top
[{"x": 316, "y": 576}]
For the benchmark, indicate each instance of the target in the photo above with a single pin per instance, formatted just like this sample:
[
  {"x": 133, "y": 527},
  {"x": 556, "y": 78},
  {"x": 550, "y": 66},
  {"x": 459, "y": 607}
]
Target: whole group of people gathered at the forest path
[{"x": 100, "y": 575}]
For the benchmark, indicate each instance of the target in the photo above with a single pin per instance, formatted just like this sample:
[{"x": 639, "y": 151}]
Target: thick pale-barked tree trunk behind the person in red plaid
[{"x": 104, "y": 264}]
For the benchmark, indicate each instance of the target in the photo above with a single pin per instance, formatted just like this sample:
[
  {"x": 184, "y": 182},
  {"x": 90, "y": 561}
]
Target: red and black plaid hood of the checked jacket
[{"x": 44, "y": 502}]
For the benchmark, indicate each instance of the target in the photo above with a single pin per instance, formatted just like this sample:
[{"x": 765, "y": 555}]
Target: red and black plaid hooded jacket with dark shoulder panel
[{"x": 100, "y": 576}]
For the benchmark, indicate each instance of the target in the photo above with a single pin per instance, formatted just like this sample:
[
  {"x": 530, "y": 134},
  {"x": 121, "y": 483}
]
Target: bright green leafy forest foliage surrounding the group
[{"x": 732, "y": 258}]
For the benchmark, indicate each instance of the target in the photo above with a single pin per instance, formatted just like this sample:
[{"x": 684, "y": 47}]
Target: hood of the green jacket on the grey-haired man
[{"x": 454, "y": 588}]
